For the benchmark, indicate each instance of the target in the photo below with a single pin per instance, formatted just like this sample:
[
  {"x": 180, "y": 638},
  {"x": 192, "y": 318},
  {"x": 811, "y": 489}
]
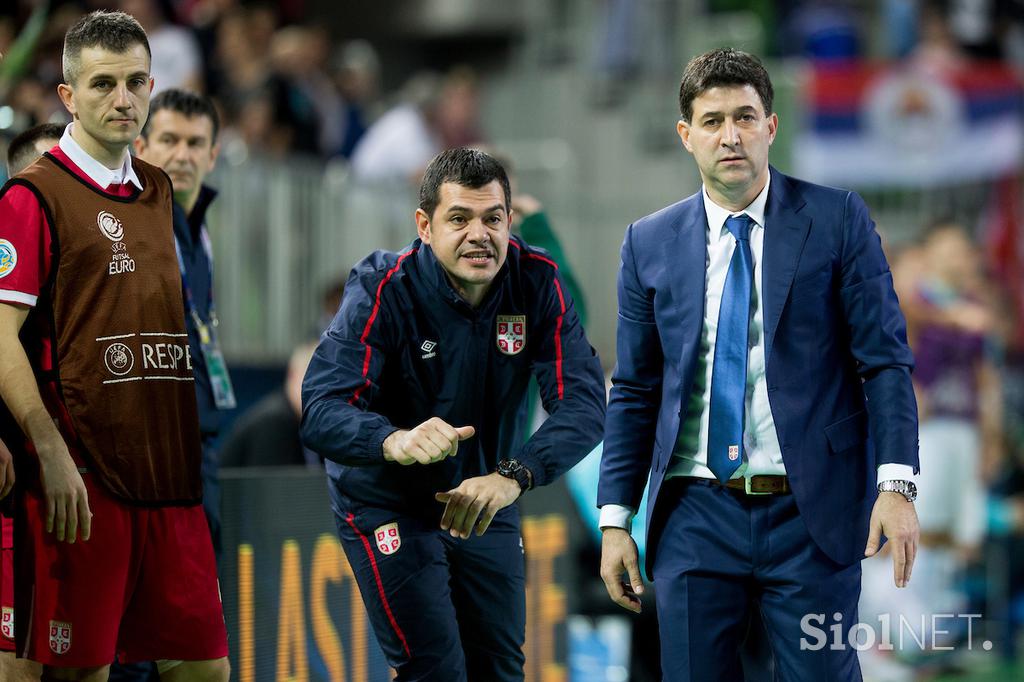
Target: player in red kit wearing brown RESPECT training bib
[{"x": 114, "y": 556}]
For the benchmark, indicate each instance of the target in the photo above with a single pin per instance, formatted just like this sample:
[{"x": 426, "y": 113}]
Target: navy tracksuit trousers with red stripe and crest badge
[{"x": 444, "y": 610}]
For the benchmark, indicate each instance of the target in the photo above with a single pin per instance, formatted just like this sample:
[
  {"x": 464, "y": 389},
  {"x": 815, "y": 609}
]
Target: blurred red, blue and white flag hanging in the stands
[{"x": 884, "y": 125}]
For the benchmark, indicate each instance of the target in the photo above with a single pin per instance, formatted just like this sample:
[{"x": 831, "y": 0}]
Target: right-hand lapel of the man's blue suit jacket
[{"x": 786, "y": 234}]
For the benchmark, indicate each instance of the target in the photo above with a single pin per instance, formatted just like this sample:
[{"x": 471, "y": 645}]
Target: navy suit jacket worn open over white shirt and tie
[{"x": 837, "y": 359}]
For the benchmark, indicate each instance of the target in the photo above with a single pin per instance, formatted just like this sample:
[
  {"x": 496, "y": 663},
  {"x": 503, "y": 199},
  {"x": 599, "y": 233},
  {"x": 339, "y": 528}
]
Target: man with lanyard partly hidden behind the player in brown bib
[{"x": 182, "y": 138}]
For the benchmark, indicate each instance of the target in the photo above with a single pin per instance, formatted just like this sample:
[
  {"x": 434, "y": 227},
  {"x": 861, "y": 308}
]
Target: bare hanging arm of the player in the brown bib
[{"x": 67, "y": 500}]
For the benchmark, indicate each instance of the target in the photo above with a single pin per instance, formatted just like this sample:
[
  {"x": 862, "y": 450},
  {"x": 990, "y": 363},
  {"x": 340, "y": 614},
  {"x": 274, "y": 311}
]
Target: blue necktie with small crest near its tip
[{"x": 729, "y": 381}]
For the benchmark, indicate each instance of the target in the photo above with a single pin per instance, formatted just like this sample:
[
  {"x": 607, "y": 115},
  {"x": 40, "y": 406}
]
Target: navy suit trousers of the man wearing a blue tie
[{"x": 720, "y": 556}]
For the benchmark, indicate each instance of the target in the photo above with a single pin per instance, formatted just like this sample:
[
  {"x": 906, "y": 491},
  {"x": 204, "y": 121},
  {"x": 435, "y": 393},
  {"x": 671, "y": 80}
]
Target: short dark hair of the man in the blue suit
[{"x": 723, "y": 67}]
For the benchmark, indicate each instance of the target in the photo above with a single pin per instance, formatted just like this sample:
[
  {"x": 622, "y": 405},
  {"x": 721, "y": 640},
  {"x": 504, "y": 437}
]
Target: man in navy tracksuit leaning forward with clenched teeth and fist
[{"x": 413, "y": 398}]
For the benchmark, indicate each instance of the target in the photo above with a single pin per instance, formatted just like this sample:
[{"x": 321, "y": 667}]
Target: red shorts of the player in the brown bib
[{"x": 144, "y": 587}]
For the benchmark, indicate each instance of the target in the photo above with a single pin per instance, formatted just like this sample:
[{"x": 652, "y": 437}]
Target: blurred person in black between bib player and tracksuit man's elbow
[{"x": 268, "y": 435}]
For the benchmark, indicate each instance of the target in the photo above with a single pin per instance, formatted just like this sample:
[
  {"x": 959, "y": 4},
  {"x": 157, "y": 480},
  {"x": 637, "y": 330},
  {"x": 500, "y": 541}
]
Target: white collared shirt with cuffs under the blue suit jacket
[{"x": 762, "y": 454}]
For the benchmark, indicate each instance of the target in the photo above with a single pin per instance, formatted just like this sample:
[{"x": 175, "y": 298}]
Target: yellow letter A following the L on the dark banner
[{"x": 291, "y": 625}]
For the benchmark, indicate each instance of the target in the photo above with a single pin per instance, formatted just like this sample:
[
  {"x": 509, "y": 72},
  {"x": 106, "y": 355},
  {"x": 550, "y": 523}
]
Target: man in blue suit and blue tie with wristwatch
[{"x": 763, "y": 387}]
